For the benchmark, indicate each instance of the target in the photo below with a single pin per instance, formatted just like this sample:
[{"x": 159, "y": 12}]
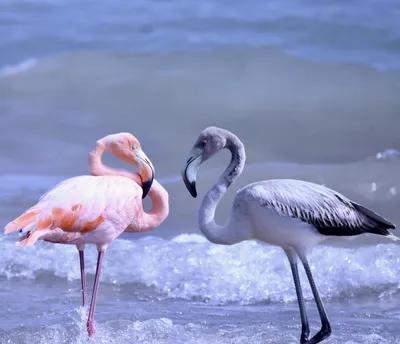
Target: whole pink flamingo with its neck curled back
[{"x": 96, "y": 209}]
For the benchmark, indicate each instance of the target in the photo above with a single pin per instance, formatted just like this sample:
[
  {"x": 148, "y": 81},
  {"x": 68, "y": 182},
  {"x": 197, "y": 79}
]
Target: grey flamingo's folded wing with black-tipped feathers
[{"x": 328, "y": 211}]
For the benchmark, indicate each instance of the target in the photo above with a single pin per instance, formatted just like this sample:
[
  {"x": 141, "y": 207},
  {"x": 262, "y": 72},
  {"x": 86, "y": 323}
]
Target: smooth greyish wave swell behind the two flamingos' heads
[{"x": 265, "y": 96}]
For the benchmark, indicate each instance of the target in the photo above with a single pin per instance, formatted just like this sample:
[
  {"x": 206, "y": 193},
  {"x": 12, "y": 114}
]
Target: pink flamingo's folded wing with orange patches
[{"x": 77, "y": 205}]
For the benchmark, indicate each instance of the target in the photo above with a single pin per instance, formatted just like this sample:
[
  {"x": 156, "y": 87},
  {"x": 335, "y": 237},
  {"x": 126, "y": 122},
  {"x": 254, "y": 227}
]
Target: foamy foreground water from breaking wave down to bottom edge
[{"x": 186, "y": 290}]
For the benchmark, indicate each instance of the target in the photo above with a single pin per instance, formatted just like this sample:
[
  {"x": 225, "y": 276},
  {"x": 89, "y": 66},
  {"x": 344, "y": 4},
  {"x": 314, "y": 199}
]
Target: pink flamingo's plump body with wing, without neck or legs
[{"x": 82, "y": 210}]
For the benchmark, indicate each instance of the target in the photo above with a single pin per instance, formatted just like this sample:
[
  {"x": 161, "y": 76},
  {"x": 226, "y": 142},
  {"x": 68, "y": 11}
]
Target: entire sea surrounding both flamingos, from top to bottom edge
[{"x": 312, "y": 89}]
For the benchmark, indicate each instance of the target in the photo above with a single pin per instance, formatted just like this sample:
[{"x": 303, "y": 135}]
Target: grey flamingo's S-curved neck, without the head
[{"x": 212, "y": 231}]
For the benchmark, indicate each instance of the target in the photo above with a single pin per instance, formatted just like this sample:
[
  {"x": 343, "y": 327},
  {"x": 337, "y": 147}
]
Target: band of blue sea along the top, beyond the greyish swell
[{"x": 340, "y": 32}]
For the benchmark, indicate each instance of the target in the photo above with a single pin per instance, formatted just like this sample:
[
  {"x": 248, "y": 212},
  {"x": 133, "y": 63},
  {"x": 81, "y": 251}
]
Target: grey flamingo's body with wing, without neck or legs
[{"x": 298, "y": 214}]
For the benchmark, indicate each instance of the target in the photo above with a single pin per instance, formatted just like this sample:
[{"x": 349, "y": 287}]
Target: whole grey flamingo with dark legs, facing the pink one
[{"x": 293, "y": 214}]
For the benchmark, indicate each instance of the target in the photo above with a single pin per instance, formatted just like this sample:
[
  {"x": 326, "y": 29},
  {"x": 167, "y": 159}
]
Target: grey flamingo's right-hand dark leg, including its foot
[{"x": 325, "y": 330}]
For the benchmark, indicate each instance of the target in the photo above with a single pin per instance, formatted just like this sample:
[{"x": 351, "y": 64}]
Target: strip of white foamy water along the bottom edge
[{"x": 165, "y": 331}]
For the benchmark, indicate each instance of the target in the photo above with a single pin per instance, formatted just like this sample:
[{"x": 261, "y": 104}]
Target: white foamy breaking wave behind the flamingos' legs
[{"x": 189, "y": 267}]
